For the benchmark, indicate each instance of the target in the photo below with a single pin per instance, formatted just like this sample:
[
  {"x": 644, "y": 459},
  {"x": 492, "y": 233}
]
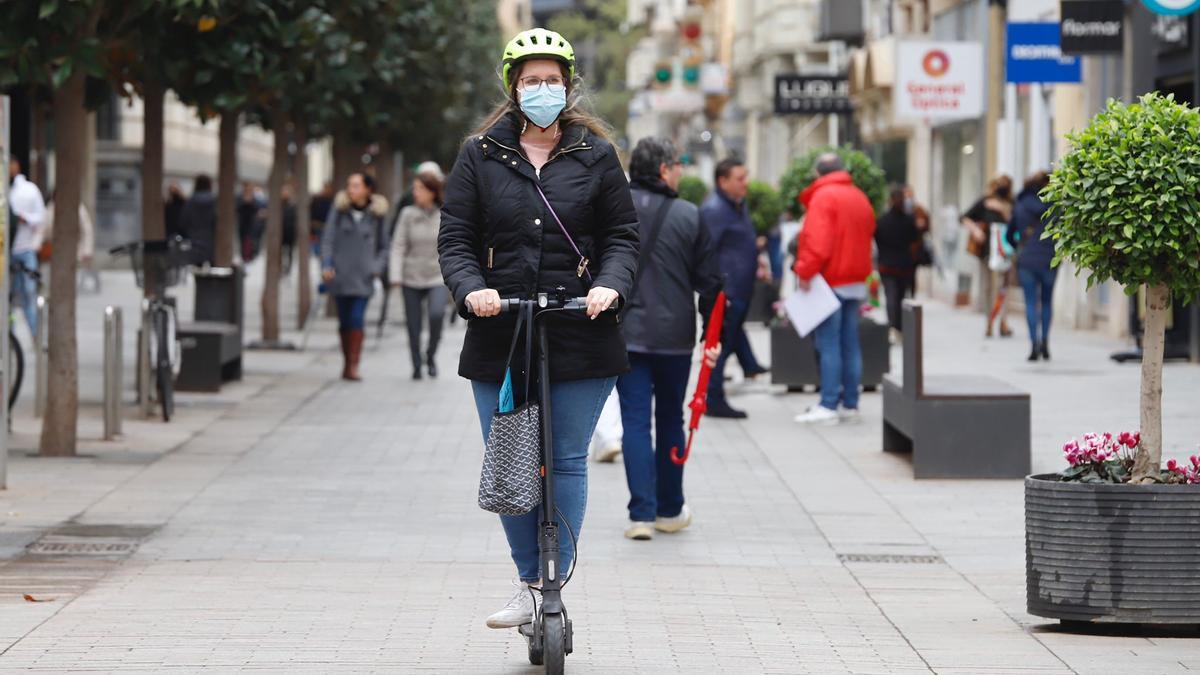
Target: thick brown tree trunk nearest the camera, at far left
[{"x": 59, "y": 427}]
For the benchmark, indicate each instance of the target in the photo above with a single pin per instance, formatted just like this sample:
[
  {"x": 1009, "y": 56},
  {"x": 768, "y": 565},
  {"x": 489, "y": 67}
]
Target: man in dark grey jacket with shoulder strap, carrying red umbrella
[{"x": 676, "y": 264}]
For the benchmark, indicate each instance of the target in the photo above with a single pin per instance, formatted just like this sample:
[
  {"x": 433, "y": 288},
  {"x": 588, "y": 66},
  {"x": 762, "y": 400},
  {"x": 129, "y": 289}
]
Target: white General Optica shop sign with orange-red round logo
[{"x": 939, "y": 81}]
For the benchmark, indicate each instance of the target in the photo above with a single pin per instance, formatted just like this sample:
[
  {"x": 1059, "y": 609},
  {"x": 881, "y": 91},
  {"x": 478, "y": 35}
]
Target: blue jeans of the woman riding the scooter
[{"x": 575, "y": 409}]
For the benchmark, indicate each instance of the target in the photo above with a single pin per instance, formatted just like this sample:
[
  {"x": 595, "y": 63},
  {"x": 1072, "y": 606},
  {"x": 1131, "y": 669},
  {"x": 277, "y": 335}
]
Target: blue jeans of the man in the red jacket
[{"x": 842, "y": 359}]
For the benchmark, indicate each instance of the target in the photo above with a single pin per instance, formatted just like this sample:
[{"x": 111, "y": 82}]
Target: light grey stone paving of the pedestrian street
[{"x": 304, "y": 524}]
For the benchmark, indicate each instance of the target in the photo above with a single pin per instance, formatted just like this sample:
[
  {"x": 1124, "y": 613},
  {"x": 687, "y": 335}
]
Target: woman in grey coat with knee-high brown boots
[{"x": 355, "y": 249}]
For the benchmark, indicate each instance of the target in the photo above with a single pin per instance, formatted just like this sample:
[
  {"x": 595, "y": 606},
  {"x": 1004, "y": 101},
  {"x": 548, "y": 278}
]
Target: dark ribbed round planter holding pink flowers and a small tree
[{"x": 1117, "y": 554}]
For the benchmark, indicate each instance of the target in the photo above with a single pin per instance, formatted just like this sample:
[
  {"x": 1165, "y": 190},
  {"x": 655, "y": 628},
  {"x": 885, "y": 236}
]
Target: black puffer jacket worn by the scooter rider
[{"x": 497, "y": 234}]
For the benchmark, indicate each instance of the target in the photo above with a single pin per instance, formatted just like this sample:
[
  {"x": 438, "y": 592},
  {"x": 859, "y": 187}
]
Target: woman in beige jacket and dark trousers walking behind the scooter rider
[{"x": 416, "y": 271}]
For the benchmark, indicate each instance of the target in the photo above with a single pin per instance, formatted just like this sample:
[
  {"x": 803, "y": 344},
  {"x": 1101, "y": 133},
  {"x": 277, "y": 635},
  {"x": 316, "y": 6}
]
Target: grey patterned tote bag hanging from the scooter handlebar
[{"x": 509, "y": 482}]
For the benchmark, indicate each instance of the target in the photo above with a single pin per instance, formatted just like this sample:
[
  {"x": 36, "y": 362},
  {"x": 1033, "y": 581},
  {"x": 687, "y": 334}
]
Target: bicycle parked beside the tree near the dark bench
[{"x": 158, "y": 266}]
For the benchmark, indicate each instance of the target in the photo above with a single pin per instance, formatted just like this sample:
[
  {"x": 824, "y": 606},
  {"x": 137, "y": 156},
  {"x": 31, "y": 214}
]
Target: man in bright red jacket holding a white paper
[{"x": 836, "y": 243}]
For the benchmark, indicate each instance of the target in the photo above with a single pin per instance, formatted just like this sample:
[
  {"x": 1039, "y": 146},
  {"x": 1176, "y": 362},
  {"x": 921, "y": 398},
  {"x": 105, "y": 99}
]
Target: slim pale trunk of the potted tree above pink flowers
[{"x": 1147, "y": 465}]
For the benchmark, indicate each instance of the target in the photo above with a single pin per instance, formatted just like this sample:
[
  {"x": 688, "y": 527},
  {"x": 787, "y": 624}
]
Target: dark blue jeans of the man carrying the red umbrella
[{"x": 658, "y": 384}]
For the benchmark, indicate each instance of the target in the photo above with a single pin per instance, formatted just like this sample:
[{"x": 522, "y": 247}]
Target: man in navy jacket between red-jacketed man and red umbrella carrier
[{"x": 728, "y": 219}]
